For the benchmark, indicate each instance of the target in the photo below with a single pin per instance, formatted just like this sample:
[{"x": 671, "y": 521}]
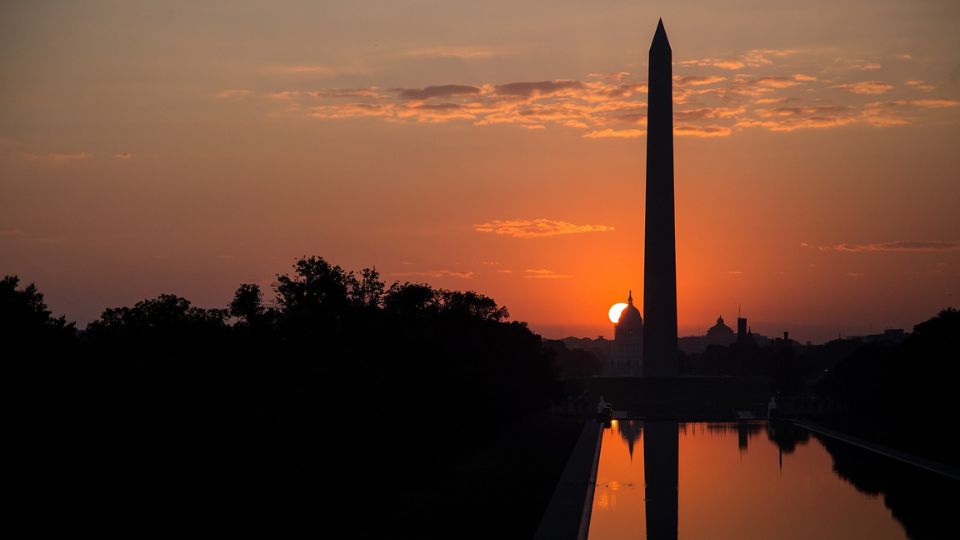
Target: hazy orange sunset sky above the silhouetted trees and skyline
[{"x": 188, "y": 147}]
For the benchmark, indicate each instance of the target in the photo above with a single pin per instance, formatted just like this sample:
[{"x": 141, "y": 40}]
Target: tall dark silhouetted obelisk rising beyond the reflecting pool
[{"x": 660, "y": 249}]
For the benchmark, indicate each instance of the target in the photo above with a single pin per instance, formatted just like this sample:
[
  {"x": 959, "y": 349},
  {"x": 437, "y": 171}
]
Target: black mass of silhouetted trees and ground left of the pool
[{"x": 349, "y": 406}]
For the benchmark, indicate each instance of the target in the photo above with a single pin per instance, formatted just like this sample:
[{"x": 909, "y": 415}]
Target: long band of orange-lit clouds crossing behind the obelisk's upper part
[{"x": 770, "y": 89}]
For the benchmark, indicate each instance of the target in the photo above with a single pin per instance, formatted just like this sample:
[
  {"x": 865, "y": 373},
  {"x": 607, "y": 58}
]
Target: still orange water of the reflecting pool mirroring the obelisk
[{"x": 750, "y": 480}]
